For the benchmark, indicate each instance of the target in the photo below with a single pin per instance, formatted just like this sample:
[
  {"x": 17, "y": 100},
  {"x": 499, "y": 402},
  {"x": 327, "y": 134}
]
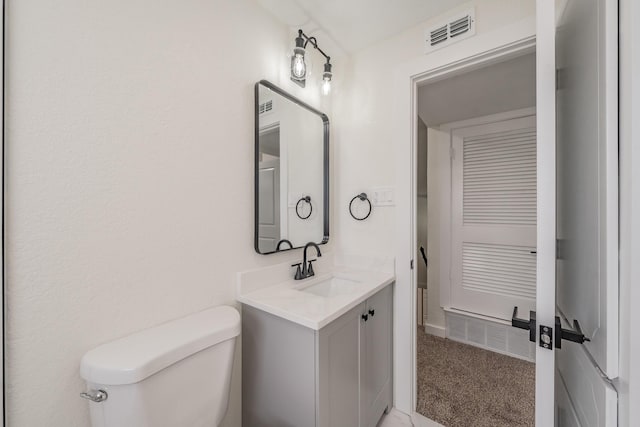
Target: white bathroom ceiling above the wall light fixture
[{"x": 346, "y": 26}]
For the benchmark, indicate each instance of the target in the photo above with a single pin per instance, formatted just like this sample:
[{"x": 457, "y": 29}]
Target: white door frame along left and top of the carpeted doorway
[{"x": 496, "y": 46}]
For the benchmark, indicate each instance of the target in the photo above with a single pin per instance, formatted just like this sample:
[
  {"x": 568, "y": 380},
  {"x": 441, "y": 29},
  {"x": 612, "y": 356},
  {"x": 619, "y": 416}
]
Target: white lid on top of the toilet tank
[{"x": 135, "y": 357}]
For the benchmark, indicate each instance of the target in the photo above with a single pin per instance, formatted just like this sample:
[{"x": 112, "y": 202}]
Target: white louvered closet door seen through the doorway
[{"x": 493, "y": 264}]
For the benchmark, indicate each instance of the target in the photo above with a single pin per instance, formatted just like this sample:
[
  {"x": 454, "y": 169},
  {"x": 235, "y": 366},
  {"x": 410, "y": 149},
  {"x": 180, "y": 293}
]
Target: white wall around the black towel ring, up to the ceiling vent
[{"x": 365, "y": 147}]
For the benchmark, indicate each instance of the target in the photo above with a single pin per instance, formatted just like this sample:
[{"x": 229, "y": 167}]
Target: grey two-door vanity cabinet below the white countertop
[{"x": 339, "y": 375}]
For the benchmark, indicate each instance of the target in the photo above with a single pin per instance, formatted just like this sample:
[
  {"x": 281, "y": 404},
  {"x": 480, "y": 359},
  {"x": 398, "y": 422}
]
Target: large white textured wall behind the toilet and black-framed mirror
[{"x": 129, "y": 177}]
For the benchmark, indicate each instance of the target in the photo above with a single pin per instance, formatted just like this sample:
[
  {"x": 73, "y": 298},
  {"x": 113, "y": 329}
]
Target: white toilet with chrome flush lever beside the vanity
[{"x": 174, "y": 374}]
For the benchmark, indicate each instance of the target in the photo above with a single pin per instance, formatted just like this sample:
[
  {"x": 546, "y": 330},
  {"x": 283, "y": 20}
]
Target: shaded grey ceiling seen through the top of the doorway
[{"x": 505, "y": 86}]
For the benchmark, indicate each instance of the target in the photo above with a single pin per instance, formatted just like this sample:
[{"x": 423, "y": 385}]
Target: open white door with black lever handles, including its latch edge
[{"x": 572, "y": 388}]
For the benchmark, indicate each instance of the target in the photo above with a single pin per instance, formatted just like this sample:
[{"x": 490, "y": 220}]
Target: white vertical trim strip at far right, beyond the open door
[{"x": 628, "y": 383}]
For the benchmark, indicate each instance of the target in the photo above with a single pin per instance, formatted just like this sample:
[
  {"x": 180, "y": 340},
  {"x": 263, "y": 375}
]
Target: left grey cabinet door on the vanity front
[{"x": 339, "y": 370}]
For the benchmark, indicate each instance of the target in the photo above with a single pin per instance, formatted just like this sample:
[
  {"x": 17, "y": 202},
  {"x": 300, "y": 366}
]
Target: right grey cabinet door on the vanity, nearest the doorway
[{"x": 376, "y": 358}]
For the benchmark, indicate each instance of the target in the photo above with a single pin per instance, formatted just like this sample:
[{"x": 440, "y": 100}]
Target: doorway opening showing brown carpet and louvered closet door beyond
[{"x": 475, "y": 234}]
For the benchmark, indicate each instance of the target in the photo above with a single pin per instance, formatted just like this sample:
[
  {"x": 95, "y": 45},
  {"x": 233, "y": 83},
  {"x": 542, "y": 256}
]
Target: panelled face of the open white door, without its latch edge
[{"x": 587, "y": 228}]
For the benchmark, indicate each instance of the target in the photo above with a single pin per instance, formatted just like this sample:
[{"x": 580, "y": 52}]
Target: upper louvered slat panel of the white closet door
[{"x": 499, "y": 178}]
